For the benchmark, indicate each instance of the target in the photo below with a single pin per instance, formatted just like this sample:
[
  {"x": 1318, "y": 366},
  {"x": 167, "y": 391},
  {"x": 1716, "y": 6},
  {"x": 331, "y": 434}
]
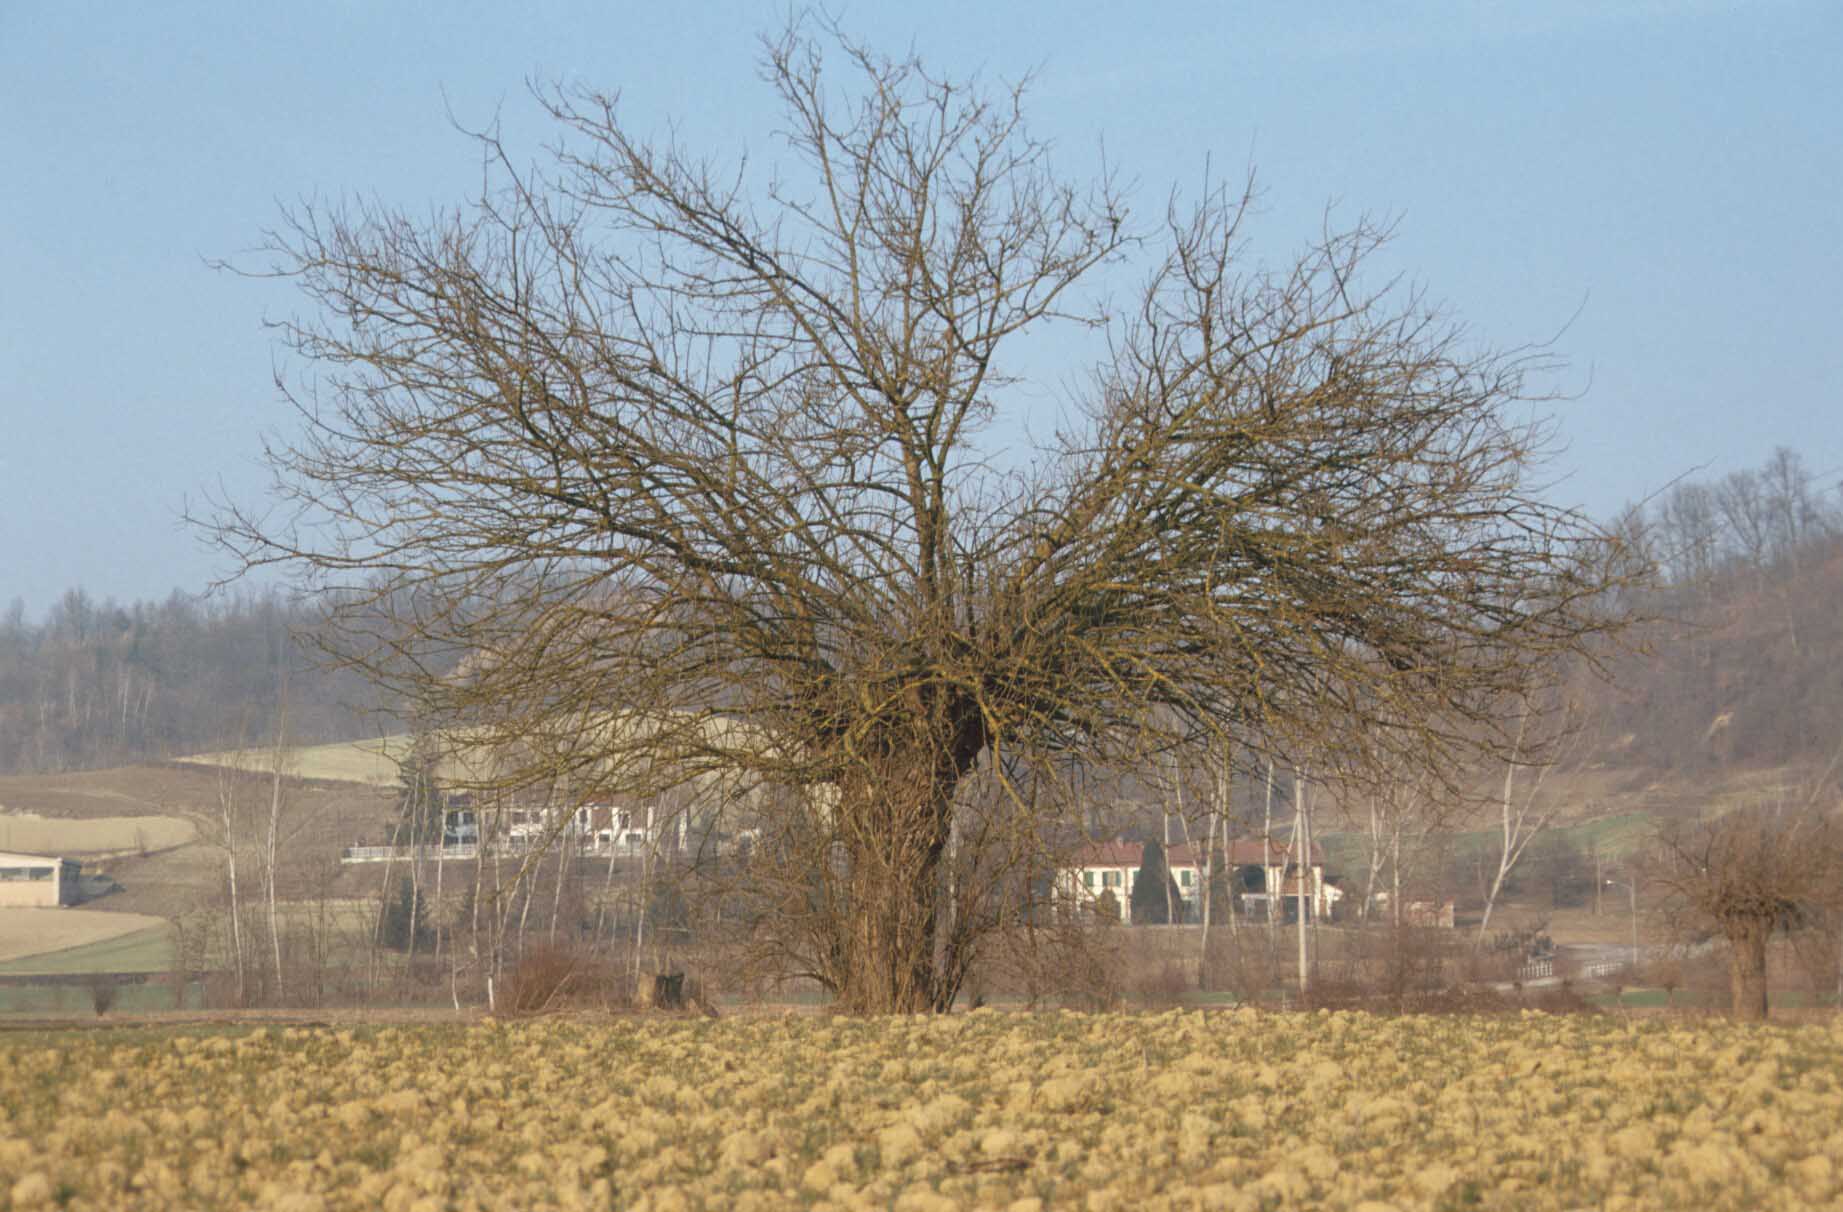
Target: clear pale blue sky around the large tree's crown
[{"x": 1665, "y": 174}]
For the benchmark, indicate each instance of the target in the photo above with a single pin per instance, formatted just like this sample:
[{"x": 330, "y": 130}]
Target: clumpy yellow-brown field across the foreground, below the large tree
[{"x": 987, "y": 1110}]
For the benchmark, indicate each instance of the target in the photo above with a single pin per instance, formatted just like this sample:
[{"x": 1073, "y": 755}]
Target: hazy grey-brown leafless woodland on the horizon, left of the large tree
[{"x": 99, "y": 684}]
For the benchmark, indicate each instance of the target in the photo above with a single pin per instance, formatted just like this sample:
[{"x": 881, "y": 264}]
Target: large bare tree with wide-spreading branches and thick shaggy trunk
[{"x": 652, "y": 463}]
